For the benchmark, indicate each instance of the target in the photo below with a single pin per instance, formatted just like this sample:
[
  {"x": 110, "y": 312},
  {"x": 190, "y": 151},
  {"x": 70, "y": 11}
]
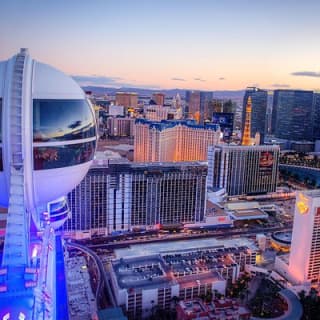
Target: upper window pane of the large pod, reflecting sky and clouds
[{"x": 61, "y": 120}]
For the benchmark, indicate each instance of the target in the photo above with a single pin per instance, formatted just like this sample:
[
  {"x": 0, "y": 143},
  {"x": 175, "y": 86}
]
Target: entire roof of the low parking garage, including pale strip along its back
[{"x": 188, "y": 267}]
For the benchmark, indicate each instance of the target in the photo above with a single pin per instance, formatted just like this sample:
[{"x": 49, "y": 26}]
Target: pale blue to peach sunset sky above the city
[{"x": 192, "y": 44}]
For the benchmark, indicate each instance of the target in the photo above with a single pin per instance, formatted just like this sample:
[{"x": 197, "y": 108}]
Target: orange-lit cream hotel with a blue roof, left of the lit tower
[{"x": 172, "y": 141}]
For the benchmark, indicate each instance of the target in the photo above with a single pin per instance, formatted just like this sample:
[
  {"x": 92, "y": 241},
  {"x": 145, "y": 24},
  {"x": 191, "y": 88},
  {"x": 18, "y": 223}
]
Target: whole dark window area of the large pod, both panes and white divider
[{"x": 64, "y": 133}]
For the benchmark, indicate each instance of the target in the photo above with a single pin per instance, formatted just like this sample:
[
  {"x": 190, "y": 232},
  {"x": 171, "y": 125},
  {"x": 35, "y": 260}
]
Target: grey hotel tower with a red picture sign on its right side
[{"x": 243, "y": 169}]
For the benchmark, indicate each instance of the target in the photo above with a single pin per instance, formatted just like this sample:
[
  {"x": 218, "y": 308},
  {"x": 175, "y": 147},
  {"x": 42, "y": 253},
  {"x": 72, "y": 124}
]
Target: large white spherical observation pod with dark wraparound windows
[{"x": 58, "y": 131}]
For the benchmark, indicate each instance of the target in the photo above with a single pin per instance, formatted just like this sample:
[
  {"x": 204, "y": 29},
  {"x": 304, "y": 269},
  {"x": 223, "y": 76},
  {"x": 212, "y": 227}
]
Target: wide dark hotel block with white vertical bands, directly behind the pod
[{"x": 117, "y": 197}]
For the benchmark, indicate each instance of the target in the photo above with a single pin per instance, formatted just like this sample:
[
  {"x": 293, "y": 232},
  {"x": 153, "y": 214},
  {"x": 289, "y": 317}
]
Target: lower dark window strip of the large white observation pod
[{"x": 63, "y": 156}]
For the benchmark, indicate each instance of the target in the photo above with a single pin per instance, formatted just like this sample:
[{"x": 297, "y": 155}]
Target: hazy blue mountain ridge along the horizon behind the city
[{"x": 222, "y": 94}]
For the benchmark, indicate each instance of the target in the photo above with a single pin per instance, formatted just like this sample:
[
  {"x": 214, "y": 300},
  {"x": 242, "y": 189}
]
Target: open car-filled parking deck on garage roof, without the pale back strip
[{"x": 190, "y": 269}]
